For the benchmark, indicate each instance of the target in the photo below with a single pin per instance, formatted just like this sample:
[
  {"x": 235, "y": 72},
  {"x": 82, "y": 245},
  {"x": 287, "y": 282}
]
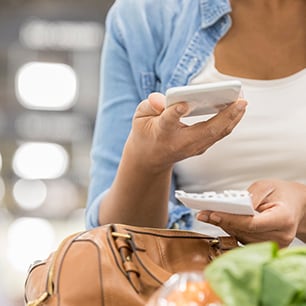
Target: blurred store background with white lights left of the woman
[{"x": 49, "y": 81}]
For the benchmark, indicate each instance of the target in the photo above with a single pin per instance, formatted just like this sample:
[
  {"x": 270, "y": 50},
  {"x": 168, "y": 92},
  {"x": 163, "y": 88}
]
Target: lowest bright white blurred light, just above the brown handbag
[{"x": 29, "y": 239}]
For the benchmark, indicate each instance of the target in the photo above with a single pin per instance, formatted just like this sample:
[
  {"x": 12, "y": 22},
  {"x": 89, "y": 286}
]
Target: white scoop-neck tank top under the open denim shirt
[{"x": 269, "y": 142}]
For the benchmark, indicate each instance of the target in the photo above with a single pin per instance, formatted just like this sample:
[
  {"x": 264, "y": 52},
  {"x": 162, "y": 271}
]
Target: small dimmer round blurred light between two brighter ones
[{"x": 29, "y": 194}]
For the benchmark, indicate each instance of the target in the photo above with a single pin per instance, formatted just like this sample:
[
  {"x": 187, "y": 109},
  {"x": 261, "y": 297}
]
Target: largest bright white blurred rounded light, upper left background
[{"x": 46, "y": 86}]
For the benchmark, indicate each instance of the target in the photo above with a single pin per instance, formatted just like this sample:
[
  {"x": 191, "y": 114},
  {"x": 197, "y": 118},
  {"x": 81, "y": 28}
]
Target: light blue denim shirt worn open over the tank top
[{"x": 149, "y": 45}]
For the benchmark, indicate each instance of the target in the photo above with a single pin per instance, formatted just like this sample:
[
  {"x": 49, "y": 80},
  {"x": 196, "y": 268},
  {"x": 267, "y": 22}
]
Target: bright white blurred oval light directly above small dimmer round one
[{"x": 40, "y": 161}]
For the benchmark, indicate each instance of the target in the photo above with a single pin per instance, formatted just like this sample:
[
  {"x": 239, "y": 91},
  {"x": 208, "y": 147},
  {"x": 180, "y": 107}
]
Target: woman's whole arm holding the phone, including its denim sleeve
[{"x": 131, "y": 171}]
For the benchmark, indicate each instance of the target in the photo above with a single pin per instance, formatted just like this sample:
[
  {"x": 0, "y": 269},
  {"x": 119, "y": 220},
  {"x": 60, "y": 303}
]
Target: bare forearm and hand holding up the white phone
[{"x": 140, "y": 192}]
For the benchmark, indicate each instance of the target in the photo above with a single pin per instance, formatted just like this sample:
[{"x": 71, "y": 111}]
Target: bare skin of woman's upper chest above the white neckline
[{"x": 263, "y": 46}]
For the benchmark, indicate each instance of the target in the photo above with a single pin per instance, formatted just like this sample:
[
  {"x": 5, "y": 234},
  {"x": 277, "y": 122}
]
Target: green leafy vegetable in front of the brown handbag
[{"x": 260, "y": 275}]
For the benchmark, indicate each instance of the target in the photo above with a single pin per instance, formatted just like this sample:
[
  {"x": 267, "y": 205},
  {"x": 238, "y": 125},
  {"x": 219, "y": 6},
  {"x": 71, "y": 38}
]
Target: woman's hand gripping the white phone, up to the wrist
[{"x": 159, "y": 138}]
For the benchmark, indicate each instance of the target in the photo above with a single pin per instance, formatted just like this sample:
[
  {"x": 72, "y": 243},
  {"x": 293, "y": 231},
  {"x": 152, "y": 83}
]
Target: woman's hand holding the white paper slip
[{"x": 281, "y": 207}]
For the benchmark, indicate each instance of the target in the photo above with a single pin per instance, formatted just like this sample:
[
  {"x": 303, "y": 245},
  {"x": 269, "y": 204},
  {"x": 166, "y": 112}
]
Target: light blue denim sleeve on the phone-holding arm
[{"x": 118, "y": 100}]
